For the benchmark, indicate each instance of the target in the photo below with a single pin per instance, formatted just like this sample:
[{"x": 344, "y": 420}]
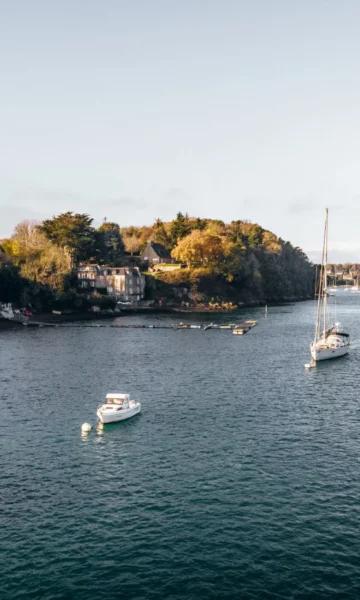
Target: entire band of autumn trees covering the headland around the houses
[{"x": 238, "y": 261}]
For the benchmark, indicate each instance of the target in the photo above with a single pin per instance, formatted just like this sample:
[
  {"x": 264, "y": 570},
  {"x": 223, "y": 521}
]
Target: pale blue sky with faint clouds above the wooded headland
[{"x": 224, "y": 109}]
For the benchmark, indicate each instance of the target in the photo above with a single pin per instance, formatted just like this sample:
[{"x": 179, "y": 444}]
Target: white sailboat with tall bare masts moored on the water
[{"x": 330, "y": 341}]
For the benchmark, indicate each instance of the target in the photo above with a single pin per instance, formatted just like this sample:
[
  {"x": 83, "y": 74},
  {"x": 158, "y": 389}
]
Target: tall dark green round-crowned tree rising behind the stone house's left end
[{"x": 73, "y": 232}]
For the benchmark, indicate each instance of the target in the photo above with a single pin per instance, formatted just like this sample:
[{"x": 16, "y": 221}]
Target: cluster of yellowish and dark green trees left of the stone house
[{"x": 37, "y": 263}]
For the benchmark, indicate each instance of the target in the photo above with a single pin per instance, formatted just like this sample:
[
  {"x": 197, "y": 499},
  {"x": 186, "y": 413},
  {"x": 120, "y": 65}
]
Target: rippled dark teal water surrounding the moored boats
[{"x": 240, "y": 479}]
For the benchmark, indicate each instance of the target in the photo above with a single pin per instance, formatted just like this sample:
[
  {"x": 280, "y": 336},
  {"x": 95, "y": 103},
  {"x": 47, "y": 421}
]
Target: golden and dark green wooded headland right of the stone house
[{"x": 238, "y": 261}]
